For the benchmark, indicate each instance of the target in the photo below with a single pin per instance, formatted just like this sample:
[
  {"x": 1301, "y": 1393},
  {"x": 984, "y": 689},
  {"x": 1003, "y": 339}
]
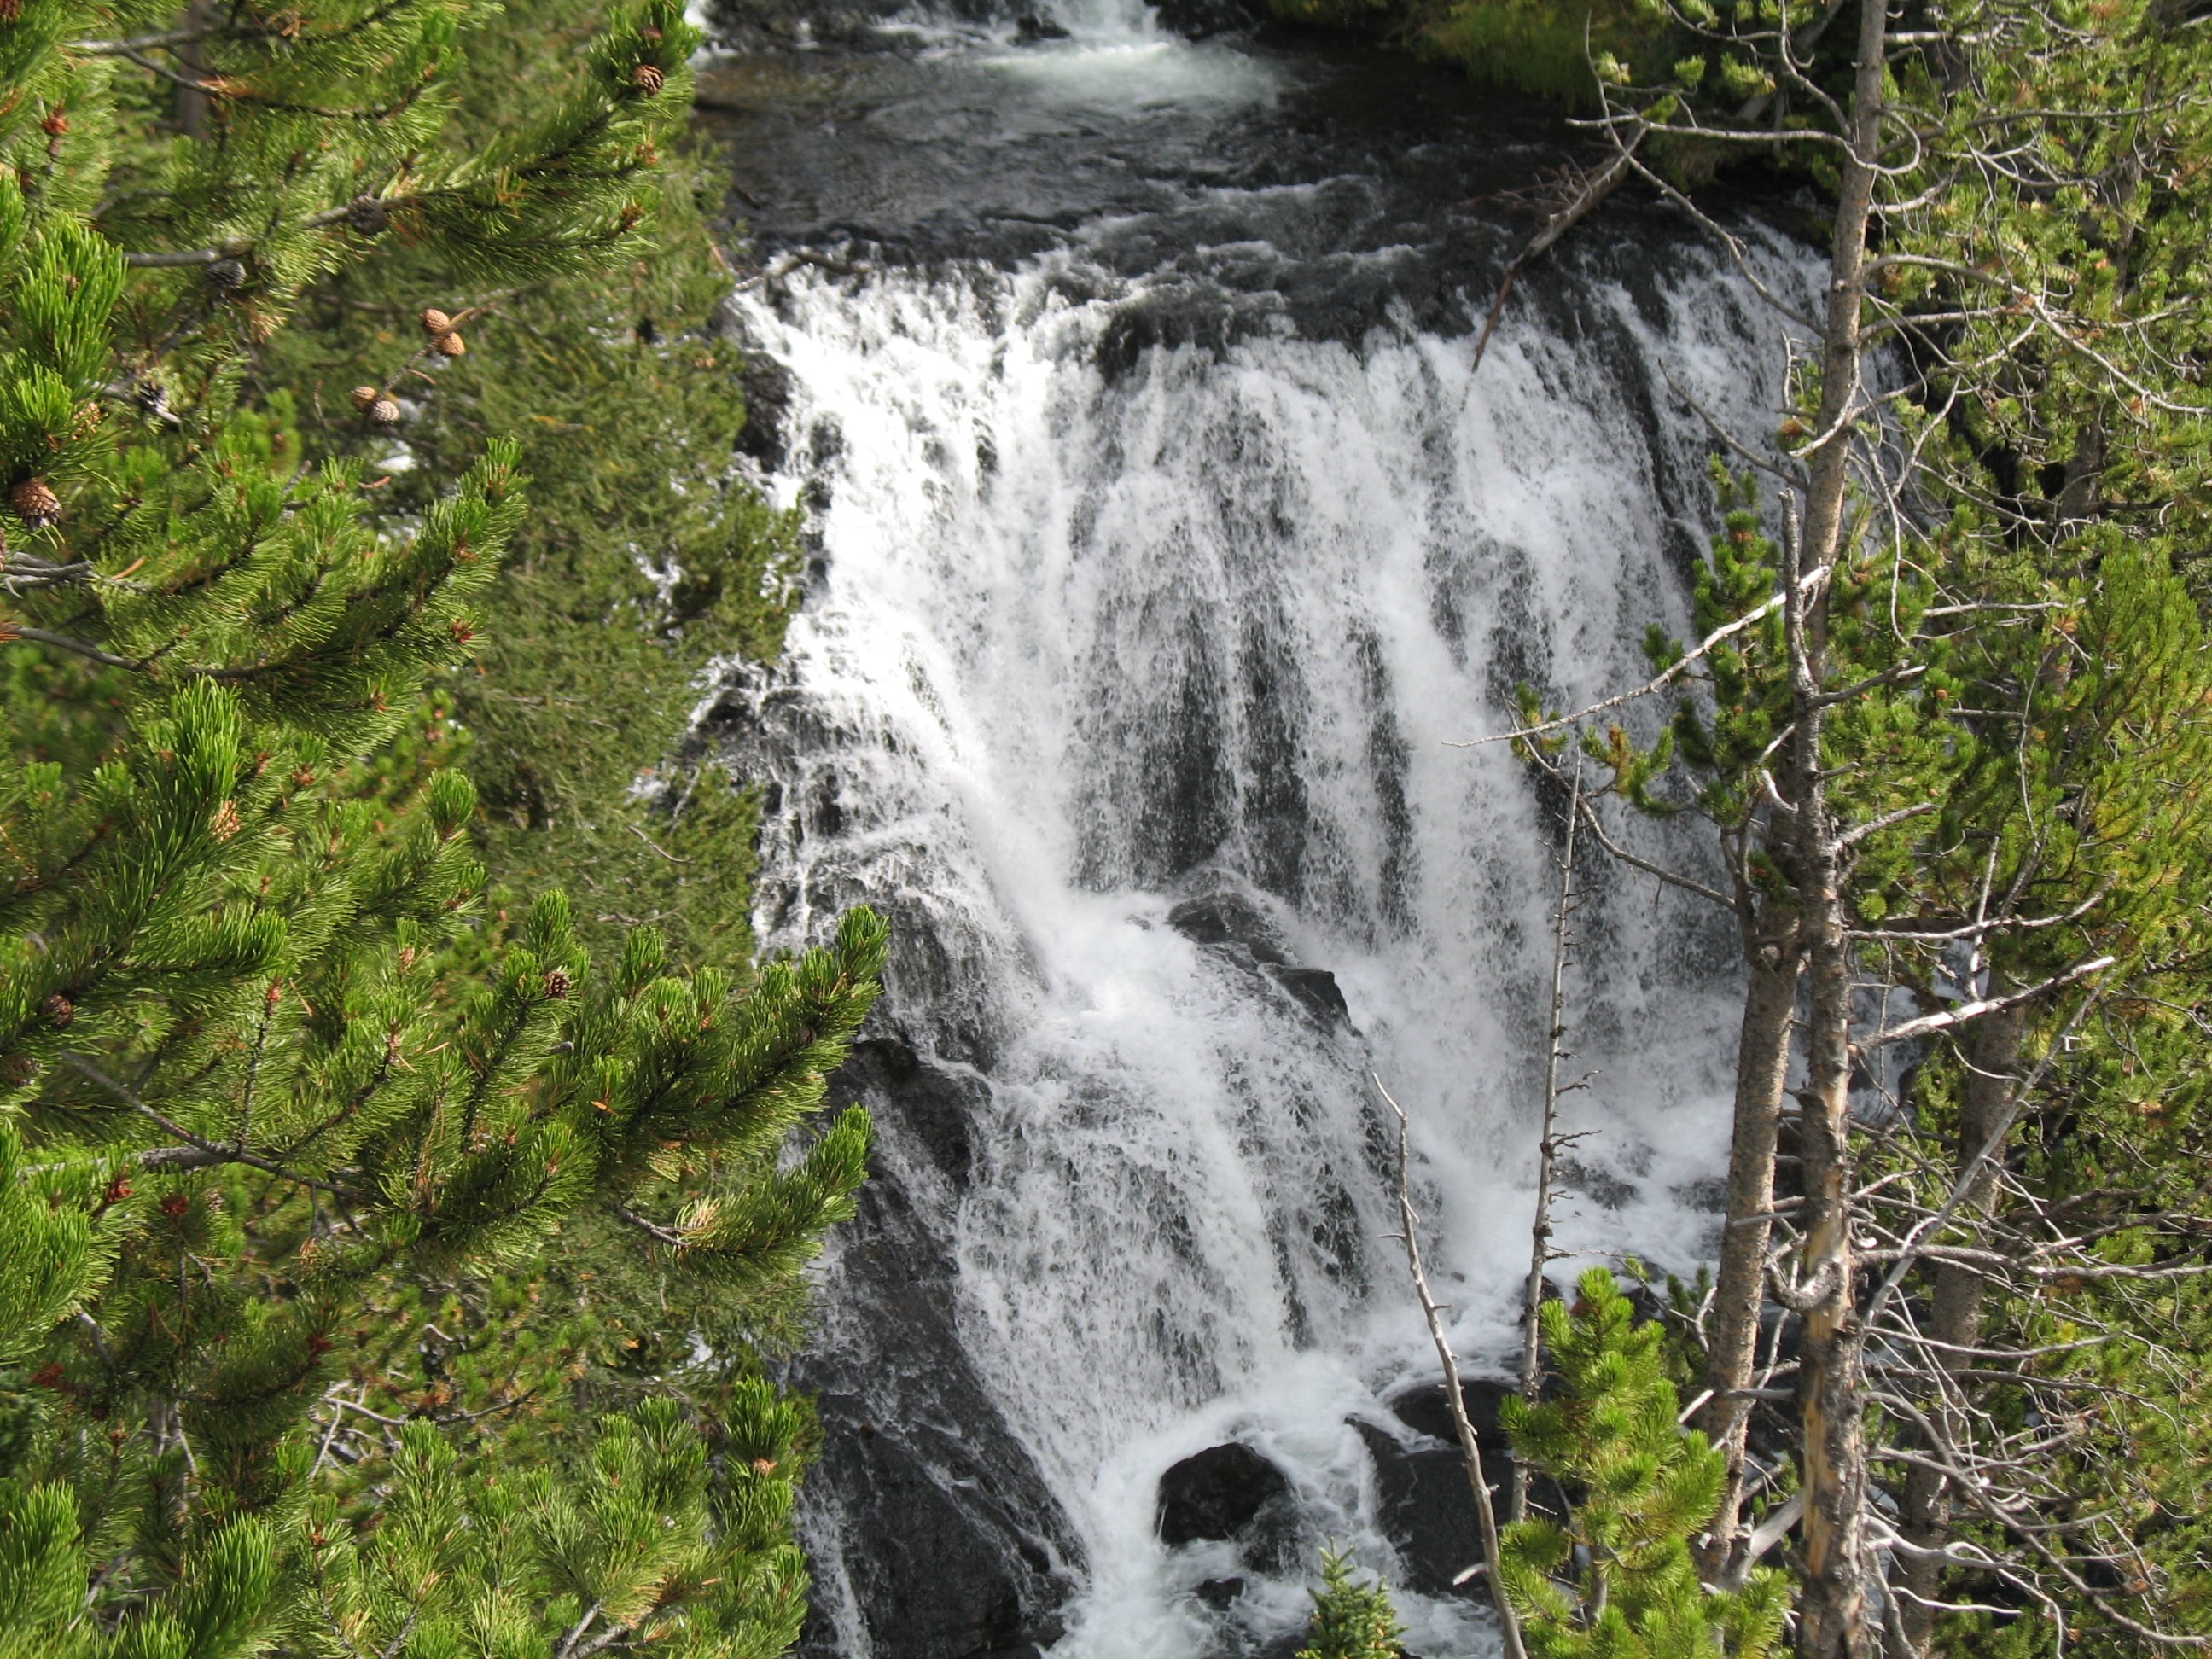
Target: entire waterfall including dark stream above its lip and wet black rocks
[{"x": 1165, "y": 552}]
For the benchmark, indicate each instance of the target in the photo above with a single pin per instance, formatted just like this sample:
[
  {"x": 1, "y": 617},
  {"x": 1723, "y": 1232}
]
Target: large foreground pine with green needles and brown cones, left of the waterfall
[{"x": 291, "y": 1123}]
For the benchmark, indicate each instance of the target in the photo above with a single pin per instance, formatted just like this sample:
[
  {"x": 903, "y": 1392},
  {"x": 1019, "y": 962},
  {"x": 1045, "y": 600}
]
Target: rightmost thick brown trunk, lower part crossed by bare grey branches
[{"x": 1954, "y": 1317}]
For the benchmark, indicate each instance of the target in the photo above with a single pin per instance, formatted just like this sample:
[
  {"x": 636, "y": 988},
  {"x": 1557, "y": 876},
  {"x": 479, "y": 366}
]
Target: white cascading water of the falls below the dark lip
[{"x": 1098, "y": 643}]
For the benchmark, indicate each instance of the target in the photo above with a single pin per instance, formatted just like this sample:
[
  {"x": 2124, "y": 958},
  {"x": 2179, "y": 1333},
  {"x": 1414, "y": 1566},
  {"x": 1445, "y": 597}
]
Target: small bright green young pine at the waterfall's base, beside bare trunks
[{"x": 1614, "y": 1580}]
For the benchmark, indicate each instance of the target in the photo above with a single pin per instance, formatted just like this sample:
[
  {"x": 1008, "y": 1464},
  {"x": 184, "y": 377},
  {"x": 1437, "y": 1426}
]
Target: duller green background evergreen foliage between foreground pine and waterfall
[{"x": 640, "y": 563}]
